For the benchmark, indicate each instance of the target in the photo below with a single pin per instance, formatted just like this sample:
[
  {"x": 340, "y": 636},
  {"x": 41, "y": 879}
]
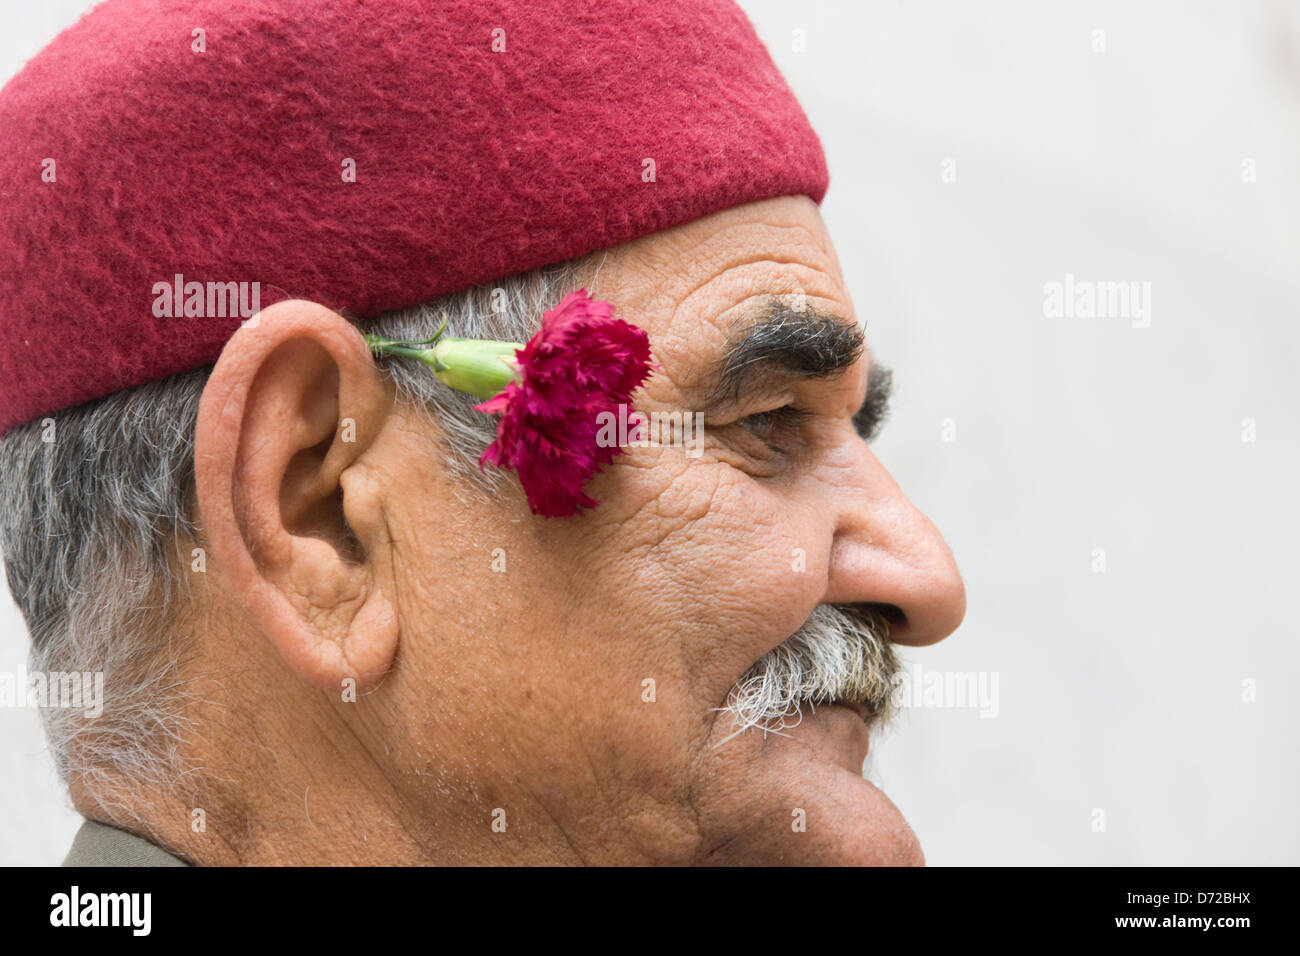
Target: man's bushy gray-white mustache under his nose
[{"x": 839, "y": 655}]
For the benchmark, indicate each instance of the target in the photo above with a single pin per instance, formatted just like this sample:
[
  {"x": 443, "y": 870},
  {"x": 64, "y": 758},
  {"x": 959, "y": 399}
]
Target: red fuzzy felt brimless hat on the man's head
[{"x": 164, "y": 163}]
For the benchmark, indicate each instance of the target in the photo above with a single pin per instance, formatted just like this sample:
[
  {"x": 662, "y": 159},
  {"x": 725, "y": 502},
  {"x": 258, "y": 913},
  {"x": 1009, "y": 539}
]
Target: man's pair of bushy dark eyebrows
[{"x": 803, "y": 344}]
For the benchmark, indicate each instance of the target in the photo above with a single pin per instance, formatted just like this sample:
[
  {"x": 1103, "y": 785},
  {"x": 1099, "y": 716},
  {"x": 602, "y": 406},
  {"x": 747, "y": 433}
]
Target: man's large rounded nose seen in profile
[{"x": 887, "y": 552}]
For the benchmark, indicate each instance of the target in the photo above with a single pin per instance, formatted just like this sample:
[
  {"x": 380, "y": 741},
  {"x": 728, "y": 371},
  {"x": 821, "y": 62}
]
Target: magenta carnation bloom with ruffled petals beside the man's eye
[{"x": 582, "y": 362}]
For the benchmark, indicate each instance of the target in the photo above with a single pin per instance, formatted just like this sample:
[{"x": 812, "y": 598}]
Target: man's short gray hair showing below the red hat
[{"x": 98, "y": 505}]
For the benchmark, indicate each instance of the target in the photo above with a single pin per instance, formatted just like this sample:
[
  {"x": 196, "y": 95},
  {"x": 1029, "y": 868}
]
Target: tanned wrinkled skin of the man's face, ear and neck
[{"x": 518, "y": 697}]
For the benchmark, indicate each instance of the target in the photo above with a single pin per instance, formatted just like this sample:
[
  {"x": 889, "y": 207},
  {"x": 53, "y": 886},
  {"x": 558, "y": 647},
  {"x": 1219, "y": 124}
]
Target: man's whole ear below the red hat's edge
[{"x": 287, "y": 427}]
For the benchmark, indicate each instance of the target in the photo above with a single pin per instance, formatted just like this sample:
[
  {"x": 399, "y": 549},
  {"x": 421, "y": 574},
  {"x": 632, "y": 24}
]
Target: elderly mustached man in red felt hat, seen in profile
[{"x": 327, "y": 634}]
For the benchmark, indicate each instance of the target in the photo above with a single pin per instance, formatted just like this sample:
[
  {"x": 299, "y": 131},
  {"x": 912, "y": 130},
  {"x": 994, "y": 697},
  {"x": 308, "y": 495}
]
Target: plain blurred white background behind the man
[{"x": 981, "y": 150}]
